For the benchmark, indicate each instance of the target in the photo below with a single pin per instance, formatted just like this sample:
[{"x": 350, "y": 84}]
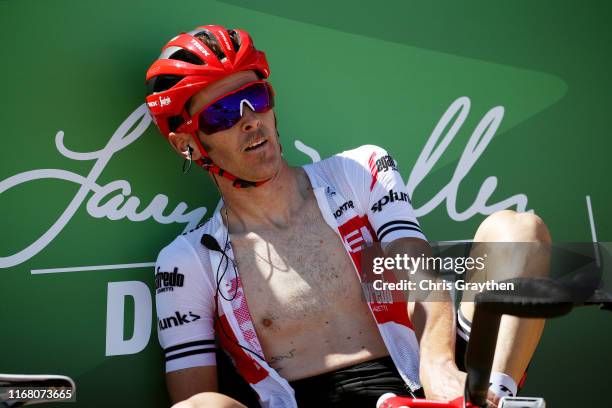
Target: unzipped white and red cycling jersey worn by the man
[{"x": 362, "y": 197}]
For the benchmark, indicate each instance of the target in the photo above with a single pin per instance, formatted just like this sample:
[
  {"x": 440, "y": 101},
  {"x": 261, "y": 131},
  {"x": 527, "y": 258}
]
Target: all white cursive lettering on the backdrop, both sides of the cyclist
[{"x": 122, "y": 205}]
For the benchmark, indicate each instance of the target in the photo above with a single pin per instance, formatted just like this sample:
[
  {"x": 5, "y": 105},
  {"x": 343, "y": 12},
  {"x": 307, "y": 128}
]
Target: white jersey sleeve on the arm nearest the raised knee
[{"x": 382, "y": 194}]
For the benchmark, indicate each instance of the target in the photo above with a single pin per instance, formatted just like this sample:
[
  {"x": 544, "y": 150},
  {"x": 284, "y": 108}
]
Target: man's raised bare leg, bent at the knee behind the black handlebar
[{"x": 518, "y": 337}]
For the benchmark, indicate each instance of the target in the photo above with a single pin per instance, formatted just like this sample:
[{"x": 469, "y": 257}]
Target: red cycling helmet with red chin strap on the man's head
[{"x": 187, "y": 65}]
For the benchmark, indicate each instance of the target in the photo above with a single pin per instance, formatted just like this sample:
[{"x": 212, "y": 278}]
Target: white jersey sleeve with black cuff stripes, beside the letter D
[{"x": 184, "y": 301}]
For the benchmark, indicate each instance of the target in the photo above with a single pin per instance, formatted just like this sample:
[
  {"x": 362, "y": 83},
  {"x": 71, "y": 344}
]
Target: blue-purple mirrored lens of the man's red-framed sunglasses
[{"x": 225, "y": 113}]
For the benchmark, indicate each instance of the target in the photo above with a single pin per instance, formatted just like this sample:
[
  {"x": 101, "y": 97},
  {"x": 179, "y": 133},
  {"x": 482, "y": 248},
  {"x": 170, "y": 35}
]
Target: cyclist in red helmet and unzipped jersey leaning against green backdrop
[{"x": 295, "y": 234}]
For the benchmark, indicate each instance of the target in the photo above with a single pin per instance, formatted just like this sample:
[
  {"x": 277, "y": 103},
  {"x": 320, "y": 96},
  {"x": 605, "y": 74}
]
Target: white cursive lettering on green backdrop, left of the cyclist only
[{"x": 116, "y": 207}]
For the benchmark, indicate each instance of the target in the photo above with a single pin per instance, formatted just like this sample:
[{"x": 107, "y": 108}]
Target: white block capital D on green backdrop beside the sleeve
[{"x": 115, "y": 317}]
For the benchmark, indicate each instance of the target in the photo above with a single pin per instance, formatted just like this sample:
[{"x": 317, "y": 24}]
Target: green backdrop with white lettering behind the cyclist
[{"x": 87, "y": 184}]
